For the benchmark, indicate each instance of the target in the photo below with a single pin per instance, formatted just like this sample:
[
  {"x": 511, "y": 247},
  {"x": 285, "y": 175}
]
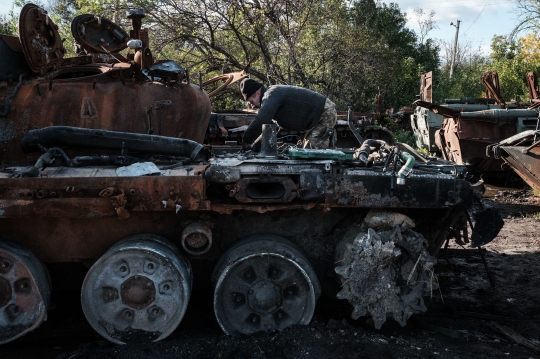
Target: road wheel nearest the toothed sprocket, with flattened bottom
[{"x": 263, "y": 283}]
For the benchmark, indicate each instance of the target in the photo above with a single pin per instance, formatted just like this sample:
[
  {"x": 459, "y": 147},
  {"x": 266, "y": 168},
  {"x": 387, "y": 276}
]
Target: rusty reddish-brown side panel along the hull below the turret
[{"x": 100, "y": 197}]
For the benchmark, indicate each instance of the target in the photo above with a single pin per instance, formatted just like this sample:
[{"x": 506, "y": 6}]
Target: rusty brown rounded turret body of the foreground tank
[{"x": 102, "y": 98}]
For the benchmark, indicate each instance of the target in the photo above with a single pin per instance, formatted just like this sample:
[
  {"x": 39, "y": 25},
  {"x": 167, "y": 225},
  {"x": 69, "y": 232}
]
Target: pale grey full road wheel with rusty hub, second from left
[{"x": 138, "y": 290}]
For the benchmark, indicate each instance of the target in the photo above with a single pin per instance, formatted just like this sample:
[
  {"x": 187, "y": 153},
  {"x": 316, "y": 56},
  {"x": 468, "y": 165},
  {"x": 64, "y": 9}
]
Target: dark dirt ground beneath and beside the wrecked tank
[{"x": 461, "y": 321}]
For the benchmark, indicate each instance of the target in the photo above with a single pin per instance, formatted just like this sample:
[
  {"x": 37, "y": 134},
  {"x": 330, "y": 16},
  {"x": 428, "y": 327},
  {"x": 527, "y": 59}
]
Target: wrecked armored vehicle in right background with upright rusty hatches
[{"x": 461, "y": 129}]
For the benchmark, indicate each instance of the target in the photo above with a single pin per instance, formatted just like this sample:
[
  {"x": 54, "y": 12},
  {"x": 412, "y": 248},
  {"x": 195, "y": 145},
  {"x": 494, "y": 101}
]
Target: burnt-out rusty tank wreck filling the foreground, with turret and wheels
[{"x": 104, "y": 164}]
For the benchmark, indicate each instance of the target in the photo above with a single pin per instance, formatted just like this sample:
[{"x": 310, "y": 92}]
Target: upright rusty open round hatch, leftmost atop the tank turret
[{"x": 41, "y": 43}]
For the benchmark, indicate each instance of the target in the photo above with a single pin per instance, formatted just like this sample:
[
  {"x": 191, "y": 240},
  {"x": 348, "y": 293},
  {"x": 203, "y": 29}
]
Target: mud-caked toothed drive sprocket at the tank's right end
[{"x": 385, "y": 273}]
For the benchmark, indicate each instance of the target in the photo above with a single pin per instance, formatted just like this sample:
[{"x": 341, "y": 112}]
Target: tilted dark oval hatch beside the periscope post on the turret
[{"x": 98, "y": 35}]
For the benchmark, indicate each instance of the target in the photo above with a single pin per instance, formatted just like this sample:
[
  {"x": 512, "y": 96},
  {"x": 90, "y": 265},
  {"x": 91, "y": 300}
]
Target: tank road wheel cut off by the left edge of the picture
[{"x": 24, "y": 291}]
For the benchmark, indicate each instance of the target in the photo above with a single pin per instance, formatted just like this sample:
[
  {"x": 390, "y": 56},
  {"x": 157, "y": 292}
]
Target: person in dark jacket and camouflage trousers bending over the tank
[{"x": 293, "y": 108}]
